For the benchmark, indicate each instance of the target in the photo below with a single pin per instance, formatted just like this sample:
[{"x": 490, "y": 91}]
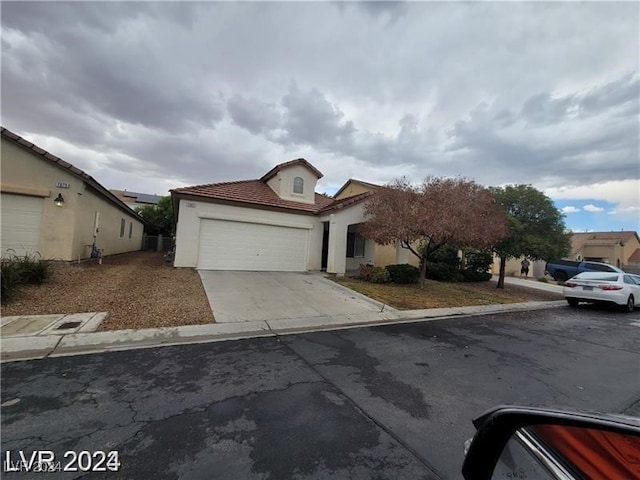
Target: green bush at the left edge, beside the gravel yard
[{"x": 16, "y": 271}]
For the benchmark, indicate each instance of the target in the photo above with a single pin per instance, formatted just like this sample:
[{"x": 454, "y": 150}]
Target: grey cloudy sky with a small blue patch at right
[{"x": 150, "y": 96}]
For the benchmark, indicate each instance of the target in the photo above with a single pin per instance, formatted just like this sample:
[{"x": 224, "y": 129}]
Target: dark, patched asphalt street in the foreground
[{"x": 384, "y": 402}]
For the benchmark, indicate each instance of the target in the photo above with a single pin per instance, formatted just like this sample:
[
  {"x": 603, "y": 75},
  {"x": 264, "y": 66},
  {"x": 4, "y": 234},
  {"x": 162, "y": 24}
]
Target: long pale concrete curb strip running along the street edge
[{"x": 22, "y": 348}]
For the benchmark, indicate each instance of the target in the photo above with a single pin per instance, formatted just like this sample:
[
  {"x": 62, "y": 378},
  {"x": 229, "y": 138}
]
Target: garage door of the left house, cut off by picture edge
[{"x": 20, "y": 217}]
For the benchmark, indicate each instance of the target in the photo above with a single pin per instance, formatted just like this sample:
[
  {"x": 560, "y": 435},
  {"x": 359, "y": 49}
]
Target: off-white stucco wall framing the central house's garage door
[{"x": 192, "y": 212}]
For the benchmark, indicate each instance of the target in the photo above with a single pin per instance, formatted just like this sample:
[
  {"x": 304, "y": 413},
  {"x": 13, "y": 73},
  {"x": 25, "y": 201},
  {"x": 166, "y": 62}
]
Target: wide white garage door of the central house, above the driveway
[{"x": 226, "y": 245}]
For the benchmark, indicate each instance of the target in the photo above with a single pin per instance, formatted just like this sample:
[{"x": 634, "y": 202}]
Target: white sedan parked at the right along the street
[{"x": 604, "y": 287}]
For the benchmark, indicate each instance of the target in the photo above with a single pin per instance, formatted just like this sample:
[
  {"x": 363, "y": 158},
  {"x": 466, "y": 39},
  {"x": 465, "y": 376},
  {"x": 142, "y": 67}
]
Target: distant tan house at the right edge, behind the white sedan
[{"x": 617, "y": 248}]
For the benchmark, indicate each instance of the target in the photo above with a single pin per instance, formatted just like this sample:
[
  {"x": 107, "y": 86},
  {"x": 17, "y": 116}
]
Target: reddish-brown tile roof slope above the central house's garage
[{"x": 255, "y": 192}]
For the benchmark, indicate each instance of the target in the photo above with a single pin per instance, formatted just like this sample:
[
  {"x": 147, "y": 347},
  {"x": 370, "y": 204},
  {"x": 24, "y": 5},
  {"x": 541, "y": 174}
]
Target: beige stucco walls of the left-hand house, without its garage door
[{"x": 64, "y": 230}]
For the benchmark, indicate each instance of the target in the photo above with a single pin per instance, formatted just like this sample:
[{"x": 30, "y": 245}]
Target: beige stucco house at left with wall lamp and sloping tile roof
[{"x": 53, "y": 208}]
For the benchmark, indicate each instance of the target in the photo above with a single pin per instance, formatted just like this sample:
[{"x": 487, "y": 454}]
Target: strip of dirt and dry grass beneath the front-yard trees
[{"x": 445, "y": 295}]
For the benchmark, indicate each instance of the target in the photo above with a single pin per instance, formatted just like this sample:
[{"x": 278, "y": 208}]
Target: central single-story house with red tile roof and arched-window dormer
[{"x": 276, "y": 223}]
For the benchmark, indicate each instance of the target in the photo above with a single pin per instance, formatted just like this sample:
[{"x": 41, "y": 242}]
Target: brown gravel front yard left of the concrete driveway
[{"x": 137, "y": 289}]
